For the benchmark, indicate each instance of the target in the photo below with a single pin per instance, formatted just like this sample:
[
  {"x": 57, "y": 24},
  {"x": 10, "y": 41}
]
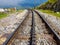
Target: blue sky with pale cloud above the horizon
[{"x": 20, "y": 3}]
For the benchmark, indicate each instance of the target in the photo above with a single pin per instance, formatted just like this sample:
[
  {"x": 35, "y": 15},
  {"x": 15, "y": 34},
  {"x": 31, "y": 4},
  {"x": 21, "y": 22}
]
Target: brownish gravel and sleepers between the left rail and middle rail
[{"x": 22, "y": 34}]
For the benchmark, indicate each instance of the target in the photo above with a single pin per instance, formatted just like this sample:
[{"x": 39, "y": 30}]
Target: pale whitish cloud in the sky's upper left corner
[{"x": 9, "y": 2}]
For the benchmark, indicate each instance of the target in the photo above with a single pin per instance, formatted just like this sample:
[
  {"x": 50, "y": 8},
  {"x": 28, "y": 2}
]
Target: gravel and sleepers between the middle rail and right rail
[{"x": 43, "y": 36}]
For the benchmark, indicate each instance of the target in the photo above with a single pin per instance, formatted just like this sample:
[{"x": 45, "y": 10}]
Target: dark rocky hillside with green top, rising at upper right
[{"x": 51, "y": 5}]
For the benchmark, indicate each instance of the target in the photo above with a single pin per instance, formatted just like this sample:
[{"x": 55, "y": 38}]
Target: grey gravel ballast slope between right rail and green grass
[{"x": 52, "y": 20}]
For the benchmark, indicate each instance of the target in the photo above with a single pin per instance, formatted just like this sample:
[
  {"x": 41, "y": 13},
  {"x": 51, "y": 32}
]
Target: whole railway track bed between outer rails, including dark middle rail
[{"x": 33, "y": 31}]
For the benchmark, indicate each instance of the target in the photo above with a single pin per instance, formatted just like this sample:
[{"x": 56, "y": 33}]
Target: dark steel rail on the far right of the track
[{"x": 56, "y": 36}]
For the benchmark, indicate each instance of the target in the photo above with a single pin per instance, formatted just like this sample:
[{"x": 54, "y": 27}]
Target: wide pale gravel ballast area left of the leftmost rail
[{"x": 9, "y": 24}]
